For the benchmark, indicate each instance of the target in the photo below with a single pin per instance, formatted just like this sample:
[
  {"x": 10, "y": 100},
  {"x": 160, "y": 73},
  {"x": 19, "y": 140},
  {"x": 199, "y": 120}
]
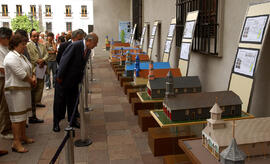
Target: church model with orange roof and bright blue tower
[{"x": 142, "y": 76}]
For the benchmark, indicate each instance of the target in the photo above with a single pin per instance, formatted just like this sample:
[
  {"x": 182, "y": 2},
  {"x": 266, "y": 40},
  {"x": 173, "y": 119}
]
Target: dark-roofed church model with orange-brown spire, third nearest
[{"x": 156, "y": 86}]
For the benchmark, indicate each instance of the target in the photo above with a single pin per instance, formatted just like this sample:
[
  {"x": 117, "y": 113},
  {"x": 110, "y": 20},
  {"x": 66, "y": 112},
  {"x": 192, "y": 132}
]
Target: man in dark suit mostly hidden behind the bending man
[{"x": 76, "y": 35}]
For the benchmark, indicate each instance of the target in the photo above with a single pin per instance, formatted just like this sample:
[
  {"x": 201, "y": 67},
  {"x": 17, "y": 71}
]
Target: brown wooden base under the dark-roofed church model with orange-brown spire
[{"x": 138, "y": 105}]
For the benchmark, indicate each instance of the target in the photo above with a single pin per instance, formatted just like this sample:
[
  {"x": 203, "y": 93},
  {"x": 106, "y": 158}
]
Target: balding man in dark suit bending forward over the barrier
[{"x": 70, "y": 74}]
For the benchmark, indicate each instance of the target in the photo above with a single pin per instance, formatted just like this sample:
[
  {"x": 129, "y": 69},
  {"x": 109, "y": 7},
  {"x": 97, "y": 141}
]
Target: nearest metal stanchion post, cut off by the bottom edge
[{"x": 70, "y": 146}]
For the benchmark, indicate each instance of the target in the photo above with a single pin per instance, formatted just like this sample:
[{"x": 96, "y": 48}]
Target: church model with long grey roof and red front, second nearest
[{"x": 196, "y": 106}]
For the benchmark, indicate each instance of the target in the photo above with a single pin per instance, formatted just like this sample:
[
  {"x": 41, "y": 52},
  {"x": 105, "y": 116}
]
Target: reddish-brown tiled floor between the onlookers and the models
[{"x": 113, "y": 128}]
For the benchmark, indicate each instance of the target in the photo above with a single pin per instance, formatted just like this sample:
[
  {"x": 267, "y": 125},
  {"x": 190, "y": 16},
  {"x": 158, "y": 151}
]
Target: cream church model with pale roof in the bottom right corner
[{"x": 252, "y": 136}]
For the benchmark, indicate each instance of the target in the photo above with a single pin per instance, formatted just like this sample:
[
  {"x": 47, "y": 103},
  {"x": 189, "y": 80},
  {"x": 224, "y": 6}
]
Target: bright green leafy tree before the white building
[{"x": 23, "y": 22}]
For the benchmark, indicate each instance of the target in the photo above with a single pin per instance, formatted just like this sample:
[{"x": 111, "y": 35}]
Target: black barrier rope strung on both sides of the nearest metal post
[{"x": 60, "y": 148}]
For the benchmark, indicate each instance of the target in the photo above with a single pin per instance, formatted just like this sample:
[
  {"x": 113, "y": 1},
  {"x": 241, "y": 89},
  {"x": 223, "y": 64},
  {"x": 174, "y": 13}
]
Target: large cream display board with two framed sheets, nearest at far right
[{"x": 250, "y": 48}]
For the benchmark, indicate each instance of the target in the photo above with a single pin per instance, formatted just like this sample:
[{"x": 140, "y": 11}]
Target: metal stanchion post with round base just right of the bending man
[{"x": 83, "y": 141}]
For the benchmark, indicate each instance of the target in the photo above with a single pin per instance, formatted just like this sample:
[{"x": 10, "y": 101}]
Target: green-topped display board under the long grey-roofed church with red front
[{"x": 164, "y": 121}]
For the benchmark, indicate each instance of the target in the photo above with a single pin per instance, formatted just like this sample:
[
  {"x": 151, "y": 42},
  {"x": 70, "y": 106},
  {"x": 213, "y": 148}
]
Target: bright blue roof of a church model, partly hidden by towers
[{"x": 145, "y": 65}]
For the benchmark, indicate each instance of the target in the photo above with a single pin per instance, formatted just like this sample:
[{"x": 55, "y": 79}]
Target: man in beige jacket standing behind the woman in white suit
[{"x": 38, "y": 56}]
